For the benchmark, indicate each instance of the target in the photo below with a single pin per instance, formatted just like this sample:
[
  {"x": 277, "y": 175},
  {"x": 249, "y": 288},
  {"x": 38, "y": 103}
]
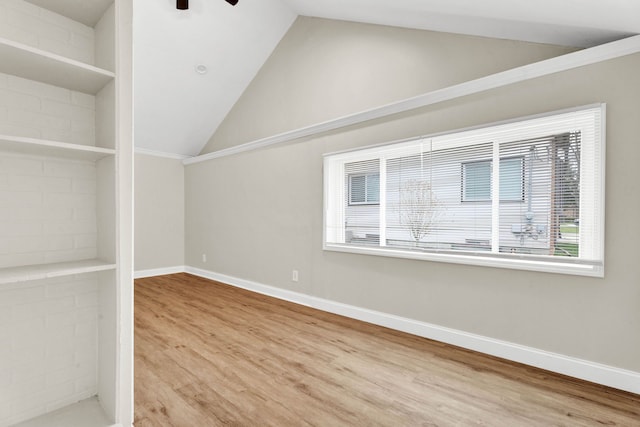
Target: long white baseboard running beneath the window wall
[{"x": 578, "y": 368}]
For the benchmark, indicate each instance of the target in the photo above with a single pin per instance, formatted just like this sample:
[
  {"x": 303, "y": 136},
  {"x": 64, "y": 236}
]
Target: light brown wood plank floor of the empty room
[{"x": 207, "y": 354}]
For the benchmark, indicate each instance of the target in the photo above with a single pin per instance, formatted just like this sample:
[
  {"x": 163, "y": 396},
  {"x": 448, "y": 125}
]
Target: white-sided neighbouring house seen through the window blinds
[{"x": 459, "y": 223}]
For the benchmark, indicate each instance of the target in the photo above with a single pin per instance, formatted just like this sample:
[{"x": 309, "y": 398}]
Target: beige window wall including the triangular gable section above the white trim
[{"x": 258, "y": 215}]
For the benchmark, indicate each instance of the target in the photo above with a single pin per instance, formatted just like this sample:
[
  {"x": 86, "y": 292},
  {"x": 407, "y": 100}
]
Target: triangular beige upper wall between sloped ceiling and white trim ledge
[{"x": 324, "y": 69}]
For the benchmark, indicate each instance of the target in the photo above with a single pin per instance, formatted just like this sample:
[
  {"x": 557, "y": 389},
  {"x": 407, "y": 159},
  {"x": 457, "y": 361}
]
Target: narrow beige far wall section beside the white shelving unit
[{"x": 159, "y": 212}]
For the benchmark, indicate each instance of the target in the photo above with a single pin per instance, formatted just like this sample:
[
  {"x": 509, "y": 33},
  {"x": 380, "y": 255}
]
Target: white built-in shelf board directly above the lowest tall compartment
[{"x": 46, "y": 271}]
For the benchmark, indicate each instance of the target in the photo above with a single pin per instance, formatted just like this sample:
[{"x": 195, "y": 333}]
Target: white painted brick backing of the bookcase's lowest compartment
[{"x": 48, "y": 345}]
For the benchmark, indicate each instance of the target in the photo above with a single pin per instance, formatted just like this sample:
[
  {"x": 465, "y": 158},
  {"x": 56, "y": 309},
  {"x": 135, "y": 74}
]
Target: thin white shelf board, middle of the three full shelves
[{"x": 43, "y": 147}]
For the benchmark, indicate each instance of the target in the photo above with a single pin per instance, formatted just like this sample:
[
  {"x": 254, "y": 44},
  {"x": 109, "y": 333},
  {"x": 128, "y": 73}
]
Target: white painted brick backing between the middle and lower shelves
[{"x": 47, "y": 210}]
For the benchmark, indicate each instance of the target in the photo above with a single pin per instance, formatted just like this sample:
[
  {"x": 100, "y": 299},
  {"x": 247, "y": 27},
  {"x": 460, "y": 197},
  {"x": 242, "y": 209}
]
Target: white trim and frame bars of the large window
[{"x": 335, "y": 214}]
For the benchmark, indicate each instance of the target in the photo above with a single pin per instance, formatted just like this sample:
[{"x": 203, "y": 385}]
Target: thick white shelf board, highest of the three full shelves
[{"x": 35, "y": 64}]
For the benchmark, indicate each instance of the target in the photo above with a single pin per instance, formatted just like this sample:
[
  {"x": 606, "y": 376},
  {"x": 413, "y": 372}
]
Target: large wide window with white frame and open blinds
[{"x": 526, "y": 194}]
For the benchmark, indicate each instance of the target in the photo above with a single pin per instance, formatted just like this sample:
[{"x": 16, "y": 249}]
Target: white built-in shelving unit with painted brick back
[{"x": 66, "y": 212}]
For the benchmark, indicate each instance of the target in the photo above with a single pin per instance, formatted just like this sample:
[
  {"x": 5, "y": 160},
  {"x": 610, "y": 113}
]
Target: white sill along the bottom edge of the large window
[{"x": 480, "y": 259}]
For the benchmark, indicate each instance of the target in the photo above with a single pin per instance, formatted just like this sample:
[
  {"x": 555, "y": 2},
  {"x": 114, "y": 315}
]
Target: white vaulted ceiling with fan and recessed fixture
[{"x": 177, "y": 109}]
